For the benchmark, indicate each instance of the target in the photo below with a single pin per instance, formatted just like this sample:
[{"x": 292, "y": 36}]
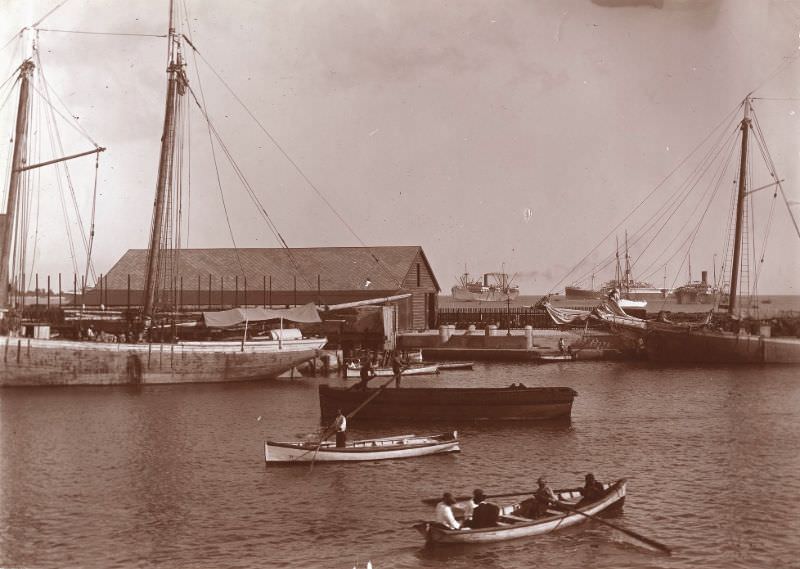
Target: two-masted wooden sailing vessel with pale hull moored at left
[{"x": 42, "y": 361}]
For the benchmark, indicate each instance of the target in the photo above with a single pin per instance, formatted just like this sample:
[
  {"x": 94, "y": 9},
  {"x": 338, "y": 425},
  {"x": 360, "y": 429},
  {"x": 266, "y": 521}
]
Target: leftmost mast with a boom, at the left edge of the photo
[{"x": 19, "y": 159}]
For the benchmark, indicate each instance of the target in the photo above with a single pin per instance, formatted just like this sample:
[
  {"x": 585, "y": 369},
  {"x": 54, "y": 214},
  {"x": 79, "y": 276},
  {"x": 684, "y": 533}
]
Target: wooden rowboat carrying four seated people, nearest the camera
[{"x": 514, "y": 527}]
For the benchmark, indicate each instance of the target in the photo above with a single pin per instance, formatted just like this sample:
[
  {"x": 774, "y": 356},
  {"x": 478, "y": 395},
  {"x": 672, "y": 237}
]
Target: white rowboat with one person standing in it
[{"x": 403, "y": 446}]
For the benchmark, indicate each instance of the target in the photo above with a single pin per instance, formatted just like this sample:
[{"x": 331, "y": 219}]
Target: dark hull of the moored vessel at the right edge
[{"x": 707, "y": 346}]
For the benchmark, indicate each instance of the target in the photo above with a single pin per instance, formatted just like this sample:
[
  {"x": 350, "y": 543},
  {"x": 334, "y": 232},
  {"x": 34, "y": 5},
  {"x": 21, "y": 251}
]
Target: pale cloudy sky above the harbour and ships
[{"x": 510, "y": 136}]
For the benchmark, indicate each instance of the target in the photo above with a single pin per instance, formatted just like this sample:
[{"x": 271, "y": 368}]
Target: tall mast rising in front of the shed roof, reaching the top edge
[{"x": 165, "y": 164}]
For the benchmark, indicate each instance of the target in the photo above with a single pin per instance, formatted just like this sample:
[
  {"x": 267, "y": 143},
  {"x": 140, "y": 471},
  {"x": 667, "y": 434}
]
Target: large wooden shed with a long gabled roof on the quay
[{"x": 213, "y": 279}]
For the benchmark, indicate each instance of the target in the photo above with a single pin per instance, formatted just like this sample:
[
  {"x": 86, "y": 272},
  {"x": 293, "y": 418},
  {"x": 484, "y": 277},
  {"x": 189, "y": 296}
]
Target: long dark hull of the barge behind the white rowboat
[{"x": 455, "y": 404}]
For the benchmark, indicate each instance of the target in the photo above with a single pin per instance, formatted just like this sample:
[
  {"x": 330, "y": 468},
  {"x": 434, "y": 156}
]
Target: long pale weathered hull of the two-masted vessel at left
[{"x": 32, "y": 362}]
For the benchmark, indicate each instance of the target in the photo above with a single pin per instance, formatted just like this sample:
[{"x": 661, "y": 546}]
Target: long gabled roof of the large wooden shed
[{"x": 339, "y": 268}]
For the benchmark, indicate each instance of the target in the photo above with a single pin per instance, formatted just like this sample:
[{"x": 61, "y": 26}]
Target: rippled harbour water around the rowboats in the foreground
[{"x": 173, "y": 476}]
